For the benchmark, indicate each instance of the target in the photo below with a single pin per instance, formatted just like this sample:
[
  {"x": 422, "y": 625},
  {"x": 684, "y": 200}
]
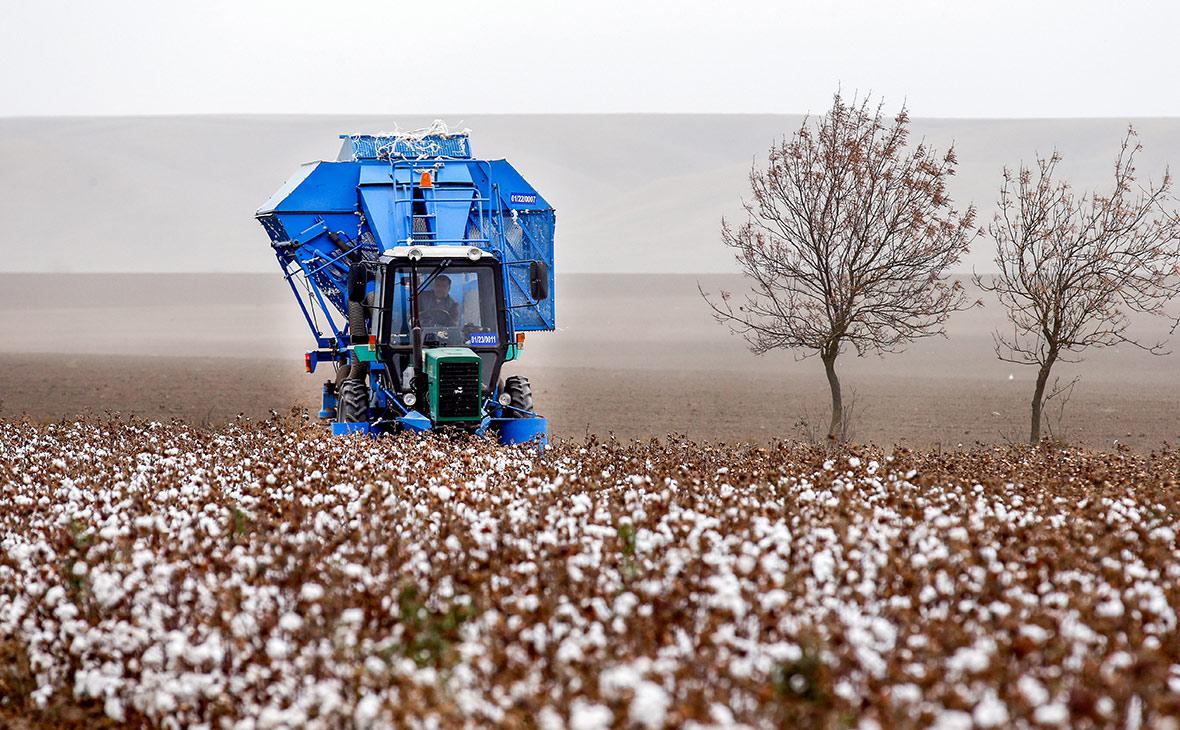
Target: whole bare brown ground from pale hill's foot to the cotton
[{"x": 635, "y": 356}]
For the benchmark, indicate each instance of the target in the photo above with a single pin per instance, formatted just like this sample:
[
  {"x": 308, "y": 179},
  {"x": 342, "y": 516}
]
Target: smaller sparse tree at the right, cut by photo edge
[{"x": 1073, "y": 268}]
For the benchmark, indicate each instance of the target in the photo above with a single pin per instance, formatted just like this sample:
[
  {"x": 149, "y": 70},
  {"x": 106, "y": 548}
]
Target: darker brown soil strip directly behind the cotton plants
[{"x": 725, "y": 407}]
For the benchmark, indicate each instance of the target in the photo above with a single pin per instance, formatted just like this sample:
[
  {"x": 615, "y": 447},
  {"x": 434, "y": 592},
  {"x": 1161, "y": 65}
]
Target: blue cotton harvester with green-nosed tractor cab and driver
[{"x": 419, "y": 269}]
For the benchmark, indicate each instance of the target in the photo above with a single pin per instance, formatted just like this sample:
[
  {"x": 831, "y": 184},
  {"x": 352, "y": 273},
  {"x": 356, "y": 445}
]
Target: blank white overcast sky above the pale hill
[{"x": 948, "y": 58}]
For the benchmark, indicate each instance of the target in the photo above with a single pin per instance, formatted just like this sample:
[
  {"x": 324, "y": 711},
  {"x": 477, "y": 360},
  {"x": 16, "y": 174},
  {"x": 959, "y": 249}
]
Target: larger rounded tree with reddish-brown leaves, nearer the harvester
[{"x": 847, "y": 241}]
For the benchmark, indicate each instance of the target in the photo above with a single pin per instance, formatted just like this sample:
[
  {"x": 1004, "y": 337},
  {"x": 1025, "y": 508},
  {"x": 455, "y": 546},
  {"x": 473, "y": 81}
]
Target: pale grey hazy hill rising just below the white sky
[{"x": 635, "y": 193}]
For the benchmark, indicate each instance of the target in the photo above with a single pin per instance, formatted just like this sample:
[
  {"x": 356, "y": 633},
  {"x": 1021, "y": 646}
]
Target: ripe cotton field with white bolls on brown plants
[{"x": 270, "y": 576}]
